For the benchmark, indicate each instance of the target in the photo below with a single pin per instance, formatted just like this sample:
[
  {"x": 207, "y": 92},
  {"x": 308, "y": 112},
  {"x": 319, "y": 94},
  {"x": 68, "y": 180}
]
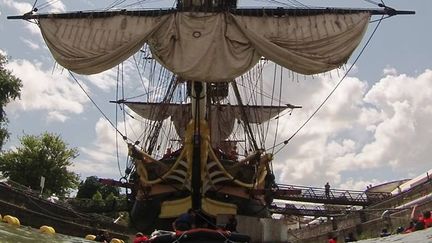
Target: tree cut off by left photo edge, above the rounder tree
[{"x": 10, "y": 89}]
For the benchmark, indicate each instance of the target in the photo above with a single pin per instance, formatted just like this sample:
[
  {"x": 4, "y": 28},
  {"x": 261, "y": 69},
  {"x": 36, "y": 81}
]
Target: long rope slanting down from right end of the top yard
[{"x": 285, "y": 142}]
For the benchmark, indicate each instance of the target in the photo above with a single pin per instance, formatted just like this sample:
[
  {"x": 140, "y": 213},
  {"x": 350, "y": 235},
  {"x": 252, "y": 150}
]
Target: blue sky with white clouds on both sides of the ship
[{"x": 375, "y": 128}]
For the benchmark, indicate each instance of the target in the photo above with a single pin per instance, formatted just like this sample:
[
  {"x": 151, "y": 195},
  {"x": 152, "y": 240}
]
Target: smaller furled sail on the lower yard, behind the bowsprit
[{"x": 222, "y": 119}]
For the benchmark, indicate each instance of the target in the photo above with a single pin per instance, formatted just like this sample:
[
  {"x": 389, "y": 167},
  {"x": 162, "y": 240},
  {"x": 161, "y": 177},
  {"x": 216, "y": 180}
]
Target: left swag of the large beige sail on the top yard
[{"x": 93, "y": 45}]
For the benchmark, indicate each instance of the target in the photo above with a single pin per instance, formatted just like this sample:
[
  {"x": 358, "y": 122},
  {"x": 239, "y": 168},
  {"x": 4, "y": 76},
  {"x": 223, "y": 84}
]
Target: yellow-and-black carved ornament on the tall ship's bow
[{"x": 214, "y": 175}]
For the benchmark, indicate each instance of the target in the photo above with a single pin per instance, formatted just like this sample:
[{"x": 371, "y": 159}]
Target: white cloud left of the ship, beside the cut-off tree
[{"x": 45, "y": 91}]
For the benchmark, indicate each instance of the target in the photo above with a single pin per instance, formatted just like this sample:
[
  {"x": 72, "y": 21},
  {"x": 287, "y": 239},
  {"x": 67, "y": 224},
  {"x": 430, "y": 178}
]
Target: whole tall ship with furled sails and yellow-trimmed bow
[{"x": 209, "y": 118}]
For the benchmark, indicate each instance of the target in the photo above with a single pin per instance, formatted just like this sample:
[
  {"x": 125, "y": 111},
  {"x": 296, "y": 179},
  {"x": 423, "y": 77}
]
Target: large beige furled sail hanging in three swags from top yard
[{"x": 208, "y": 47}]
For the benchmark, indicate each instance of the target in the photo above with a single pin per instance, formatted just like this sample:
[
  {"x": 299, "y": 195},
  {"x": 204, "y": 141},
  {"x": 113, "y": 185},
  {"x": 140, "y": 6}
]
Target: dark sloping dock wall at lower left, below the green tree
[{"x": 35, "y": 211}]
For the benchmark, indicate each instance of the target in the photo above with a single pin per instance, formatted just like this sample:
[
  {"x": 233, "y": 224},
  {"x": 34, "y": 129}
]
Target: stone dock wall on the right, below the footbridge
[{"x": 363, "y": 224}]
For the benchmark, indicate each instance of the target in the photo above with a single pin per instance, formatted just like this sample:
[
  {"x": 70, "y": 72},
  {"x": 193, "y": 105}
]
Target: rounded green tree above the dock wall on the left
[{"x": 45, "y": 155}]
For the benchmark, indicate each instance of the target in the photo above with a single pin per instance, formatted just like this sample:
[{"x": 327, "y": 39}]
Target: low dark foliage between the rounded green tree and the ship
[{"x": 91, "y": 186}]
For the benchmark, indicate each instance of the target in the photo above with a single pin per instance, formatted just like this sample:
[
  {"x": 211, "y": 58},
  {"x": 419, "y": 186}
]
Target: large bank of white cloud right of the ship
[{"x": 359, "y": 129}]
